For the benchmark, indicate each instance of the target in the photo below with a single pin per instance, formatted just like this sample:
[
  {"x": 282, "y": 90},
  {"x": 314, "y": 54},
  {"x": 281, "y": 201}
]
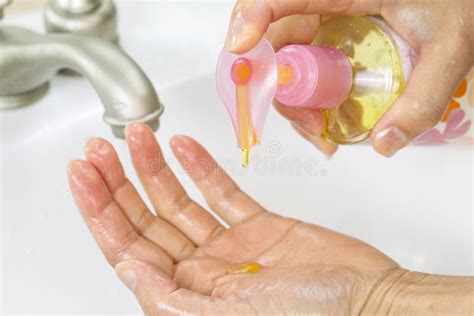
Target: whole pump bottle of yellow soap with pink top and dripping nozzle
[{"x": 354, "y": 70}]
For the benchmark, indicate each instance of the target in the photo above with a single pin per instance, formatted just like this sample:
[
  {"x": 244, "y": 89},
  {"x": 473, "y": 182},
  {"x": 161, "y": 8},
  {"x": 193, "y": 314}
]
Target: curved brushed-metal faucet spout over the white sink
[{"x": 29, "y": 60}]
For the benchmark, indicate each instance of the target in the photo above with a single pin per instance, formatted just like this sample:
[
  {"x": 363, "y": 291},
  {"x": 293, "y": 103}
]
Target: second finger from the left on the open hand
[{"x": 104, "y": 158}]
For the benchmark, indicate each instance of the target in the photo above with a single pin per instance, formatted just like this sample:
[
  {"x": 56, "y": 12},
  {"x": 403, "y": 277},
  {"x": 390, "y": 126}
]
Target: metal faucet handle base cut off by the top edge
[{"x": 96, "y": 18}]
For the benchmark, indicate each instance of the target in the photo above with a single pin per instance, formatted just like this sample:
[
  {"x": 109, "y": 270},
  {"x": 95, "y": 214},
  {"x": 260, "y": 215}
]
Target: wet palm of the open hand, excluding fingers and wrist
[{"x": 298, "y": 259}]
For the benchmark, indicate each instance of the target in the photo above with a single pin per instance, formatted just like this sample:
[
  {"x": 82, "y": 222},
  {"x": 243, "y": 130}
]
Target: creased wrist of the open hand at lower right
[{"x": 403, "y": 292}]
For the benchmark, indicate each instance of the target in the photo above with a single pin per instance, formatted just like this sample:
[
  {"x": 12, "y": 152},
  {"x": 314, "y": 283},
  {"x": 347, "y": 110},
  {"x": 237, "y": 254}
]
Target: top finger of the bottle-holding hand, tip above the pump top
[{"x": 251, "y": 19}]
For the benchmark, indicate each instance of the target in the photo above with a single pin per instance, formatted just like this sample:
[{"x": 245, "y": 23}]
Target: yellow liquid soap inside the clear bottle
[{"x": 377, "y": 75}]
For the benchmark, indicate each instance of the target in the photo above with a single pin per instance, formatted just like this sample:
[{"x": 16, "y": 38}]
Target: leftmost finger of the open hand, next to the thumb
[{"x": 113, "y": 233}]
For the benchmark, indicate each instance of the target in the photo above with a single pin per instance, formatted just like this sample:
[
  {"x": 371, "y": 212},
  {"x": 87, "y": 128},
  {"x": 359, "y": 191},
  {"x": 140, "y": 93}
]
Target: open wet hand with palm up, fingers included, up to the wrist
[{"x": 184, "y": 260}]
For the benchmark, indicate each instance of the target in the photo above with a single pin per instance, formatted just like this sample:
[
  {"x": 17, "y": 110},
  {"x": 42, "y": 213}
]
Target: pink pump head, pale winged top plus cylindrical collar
[{"x": 320, "y": 77}]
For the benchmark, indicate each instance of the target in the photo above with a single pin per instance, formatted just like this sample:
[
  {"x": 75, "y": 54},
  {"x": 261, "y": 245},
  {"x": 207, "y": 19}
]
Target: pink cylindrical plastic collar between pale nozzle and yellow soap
[{"x": 321, "y": 76}]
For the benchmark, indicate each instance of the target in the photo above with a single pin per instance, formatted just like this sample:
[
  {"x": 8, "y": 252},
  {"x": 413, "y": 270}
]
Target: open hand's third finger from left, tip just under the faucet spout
[{"x": 166, "y": 193}]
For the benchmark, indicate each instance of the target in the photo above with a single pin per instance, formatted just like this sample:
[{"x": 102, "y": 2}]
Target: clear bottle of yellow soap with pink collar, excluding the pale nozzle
[{"x": 352, "y": 101}]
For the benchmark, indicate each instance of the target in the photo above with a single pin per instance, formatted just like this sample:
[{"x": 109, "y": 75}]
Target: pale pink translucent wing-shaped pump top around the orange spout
[{"x": 261, "y": 86}]
